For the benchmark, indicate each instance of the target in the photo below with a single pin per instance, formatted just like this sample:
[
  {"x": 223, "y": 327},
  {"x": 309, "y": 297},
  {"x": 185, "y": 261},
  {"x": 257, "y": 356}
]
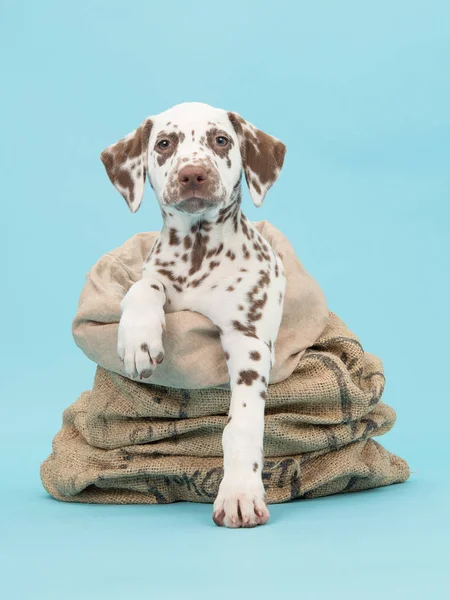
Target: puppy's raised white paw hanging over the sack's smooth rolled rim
[{"x": 139, "y": 343}]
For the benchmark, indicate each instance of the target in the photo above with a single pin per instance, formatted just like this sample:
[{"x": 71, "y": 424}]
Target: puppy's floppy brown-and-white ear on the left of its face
[{"x": 126, "y": 164}]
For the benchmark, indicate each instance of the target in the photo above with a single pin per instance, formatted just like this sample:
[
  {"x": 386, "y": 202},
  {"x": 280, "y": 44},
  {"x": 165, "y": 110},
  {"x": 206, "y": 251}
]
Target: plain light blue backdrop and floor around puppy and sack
[{"x": 360, "y": 93}]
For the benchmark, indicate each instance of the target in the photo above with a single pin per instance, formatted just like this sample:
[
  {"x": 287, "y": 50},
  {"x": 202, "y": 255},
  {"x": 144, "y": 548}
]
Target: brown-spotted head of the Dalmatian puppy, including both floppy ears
[{"x": 193, "y": 155}]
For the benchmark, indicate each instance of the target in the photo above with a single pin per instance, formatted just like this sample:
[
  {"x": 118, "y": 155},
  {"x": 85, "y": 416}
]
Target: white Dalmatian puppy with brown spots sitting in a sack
[{"x": 210, "y": 259}]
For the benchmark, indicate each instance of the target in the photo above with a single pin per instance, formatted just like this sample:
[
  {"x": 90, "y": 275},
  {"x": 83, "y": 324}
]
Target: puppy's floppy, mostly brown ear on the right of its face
[{"x": 262, "y": 157}]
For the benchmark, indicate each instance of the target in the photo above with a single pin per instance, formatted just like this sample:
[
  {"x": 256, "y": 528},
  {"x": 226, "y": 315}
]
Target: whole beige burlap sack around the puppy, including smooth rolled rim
[{"x": 159, "y": 441}]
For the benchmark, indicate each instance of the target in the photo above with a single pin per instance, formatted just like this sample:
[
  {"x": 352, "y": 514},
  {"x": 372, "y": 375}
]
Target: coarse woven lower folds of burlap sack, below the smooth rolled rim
[{"x": 129, "y": 442}]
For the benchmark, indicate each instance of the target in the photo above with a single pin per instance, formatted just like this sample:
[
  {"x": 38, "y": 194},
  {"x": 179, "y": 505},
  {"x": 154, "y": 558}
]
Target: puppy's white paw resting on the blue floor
[{"x": 240, "y": 504}]
